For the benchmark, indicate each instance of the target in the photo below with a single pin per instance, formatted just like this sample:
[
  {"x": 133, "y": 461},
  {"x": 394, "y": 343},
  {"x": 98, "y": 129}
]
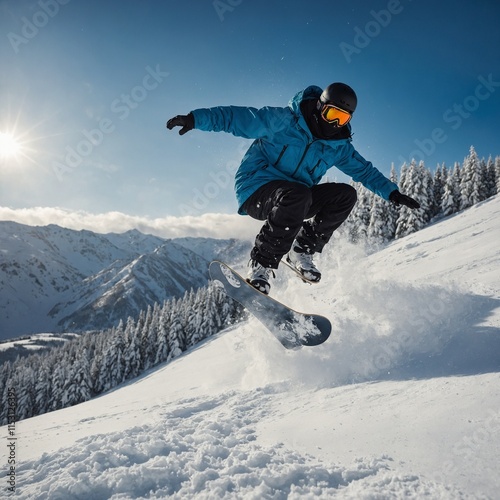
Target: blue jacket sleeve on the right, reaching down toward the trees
[{"x": 363, "y": 171}]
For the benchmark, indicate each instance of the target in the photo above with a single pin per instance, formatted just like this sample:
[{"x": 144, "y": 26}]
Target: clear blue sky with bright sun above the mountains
[{"x": 87, "y": 86}]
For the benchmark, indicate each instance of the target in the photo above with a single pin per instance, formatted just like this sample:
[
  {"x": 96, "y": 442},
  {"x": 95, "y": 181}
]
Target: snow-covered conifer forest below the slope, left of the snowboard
[{"x": 96, "y": 362}]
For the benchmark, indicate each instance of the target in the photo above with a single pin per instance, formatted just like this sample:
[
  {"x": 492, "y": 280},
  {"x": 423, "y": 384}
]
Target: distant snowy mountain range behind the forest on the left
[{"x": 54, "y": 279}]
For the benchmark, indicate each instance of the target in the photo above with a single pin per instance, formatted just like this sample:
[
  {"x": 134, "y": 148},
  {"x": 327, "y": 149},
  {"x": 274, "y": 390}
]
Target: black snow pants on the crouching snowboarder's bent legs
[{"x": 295, "y": 211}]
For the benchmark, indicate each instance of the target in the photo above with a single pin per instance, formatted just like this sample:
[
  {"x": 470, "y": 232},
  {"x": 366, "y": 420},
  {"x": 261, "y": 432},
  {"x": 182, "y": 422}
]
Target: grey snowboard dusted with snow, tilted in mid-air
[{"x": 292, "y": 328}]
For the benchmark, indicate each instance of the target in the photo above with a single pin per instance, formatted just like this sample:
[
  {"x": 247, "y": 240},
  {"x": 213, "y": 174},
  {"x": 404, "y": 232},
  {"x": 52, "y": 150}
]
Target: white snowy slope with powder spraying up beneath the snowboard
[{"x": 403, "y": 400}]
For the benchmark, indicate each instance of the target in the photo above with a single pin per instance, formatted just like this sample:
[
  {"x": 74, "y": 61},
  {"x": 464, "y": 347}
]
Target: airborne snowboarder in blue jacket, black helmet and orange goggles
[{"x": 278, "y": 179}]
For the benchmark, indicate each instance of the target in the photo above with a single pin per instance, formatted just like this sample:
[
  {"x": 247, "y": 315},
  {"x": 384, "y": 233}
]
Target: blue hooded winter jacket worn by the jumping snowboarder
[{"x": 284, "y": 148}]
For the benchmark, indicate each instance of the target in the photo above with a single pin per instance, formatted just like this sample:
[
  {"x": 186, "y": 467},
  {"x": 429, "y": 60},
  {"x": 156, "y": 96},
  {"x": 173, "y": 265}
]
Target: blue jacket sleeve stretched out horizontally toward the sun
[{"x": 250, "y": 123}]
